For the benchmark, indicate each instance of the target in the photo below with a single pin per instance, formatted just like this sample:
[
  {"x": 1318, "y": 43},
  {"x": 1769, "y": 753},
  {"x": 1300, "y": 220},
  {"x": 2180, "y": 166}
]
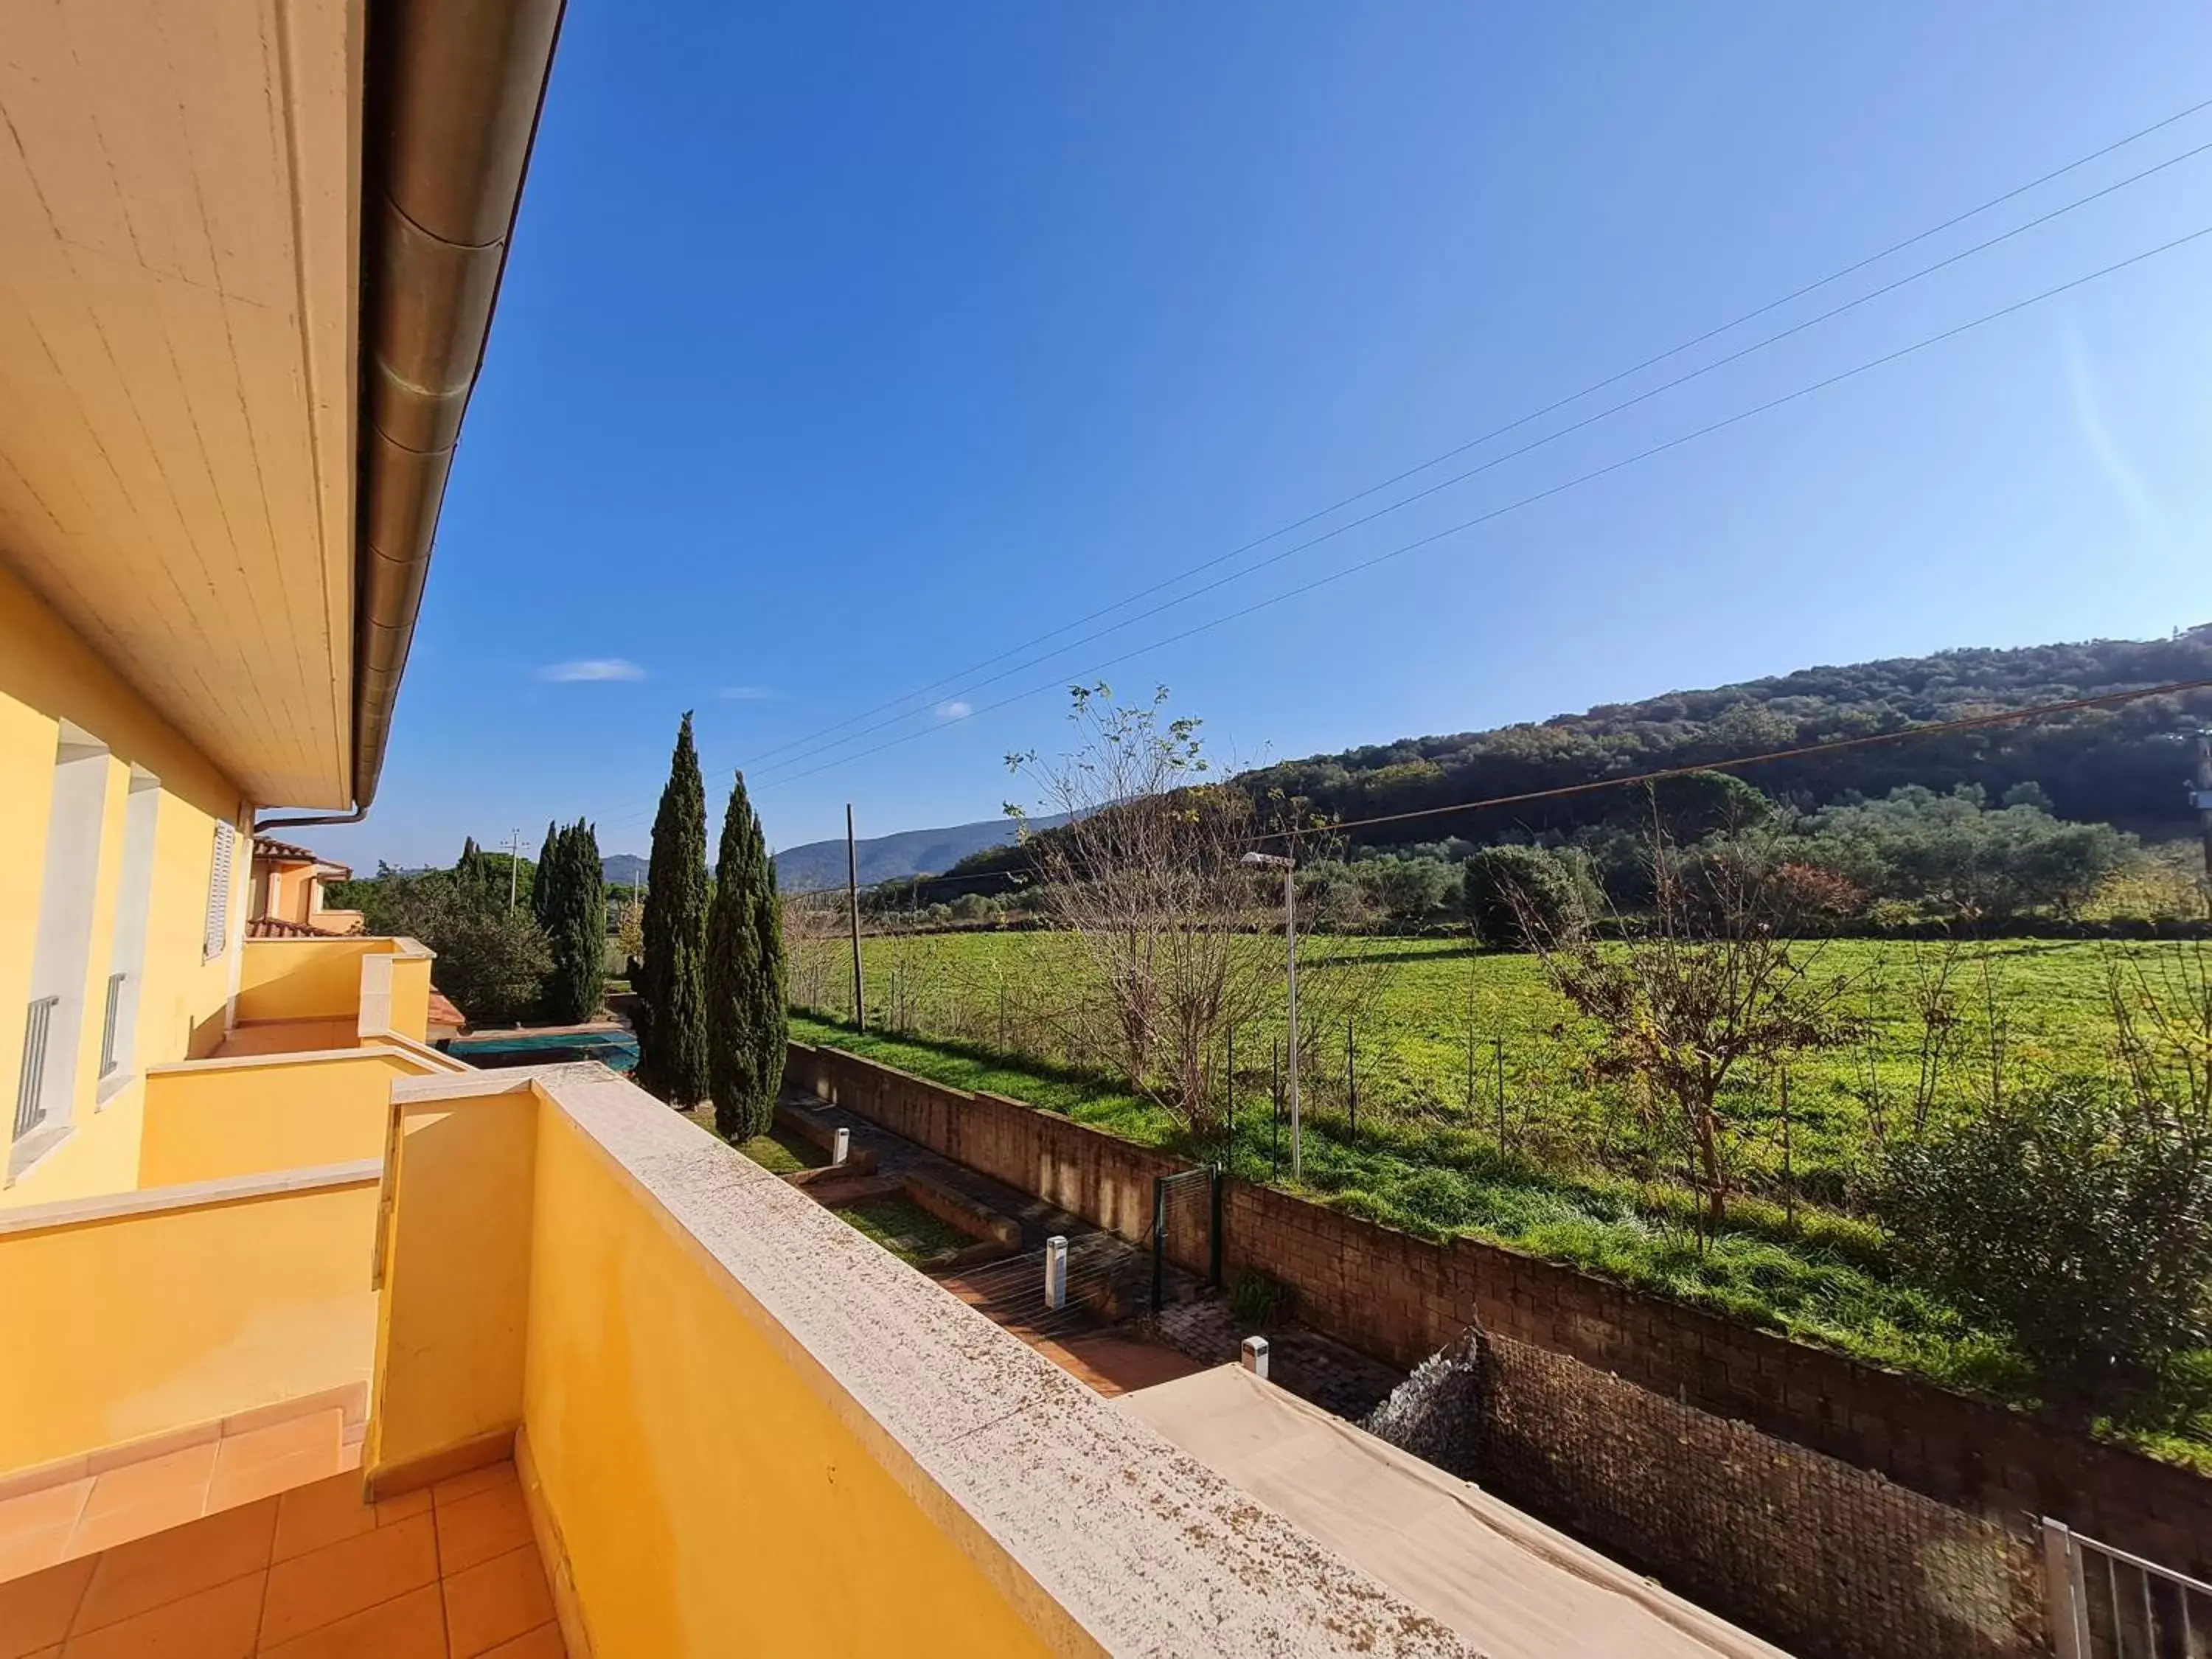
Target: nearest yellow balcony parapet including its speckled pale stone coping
[{"x": 744, "y": 1428}]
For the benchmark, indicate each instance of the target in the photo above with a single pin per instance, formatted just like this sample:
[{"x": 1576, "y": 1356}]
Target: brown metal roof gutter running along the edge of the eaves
[{"x": 455, "y": 94}]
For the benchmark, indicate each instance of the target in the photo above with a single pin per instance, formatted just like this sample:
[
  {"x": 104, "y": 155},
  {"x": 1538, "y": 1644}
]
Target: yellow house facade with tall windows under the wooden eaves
[{"x": 48, "y": 678}]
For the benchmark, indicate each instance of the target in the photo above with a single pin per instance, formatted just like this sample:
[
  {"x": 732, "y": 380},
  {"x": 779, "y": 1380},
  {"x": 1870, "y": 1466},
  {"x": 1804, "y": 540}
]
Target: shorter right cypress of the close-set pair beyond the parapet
[{"x": 747, "y": 1023}]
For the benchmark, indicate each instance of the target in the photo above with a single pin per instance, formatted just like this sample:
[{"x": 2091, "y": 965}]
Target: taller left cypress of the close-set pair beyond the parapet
[{"x": 671, "y": 1039}]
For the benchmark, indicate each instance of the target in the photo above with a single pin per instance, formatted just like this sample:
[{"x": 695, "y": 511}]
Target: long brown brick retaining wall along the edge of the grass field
[{"x": 1401, "y": 1300}]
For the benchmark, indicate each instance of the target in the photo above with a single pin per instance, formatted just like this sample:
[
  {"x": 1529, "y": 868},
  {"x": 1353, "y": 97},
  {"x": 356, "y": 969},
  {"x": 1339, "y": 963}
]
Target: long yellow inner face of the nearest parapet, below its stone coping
[{"x": 709, "y": 1499}]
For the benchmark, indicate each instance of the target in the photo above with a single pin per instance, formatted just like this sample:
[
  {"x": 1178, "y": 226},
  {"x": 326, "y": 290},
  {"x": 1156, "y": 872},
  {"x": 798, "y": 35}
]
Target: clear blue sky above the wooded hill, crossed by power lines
[{"x": 844, "y": 348}]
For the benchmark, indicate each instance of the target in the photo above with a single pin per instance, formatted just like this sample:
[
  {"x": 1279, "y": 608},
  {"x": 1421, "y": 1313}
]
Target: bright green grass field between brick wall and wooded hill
[{"x": 1576, "y": 1178}]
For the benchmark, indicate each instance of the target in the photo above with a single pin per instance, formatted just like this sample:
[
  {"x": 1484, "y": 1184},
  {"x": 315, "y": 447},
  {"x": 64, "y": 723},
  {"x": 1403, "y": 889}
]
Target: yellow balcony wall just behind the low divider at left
[{"x": 220, "y": 1118}]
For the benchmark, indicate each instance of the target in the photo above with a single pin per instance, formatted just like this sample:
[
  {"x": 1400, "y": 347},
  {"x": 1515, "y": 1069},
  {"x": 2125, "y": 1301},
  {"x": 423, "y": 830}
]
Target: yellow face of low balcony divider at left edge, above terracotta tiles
[{"x": 145, "y": 1324}]
